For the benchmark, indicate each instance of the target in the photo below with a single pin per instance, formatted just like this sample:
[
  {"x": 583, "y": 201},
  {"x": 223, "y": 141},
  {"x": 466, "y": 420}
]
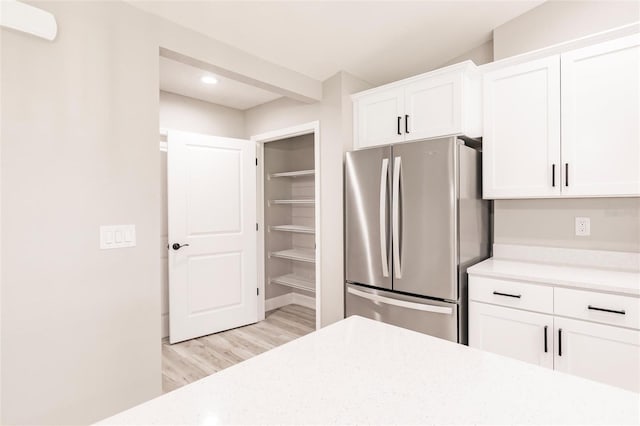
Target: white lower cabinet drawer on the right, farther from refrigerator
[{"x": 613, "y": 309}]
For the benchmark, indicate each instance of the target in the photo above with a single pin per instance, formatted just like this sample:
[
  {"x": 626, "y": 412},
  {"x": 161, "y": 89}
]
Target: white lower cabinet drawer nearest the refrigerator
[{"x": 511, "y": 293}]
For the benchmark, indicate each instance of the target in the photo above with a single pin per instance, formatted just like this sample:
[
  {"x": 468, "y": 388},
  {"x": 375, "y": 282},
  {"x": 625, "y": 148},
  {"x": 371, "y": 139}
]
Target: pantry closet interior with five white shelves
[{"x": 290, "y": 216}]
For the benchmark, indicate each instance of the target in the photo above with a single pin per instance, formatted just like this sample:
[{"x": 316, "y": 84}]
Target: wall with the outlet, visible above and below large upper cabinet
[{"x": 615, "y": 222}]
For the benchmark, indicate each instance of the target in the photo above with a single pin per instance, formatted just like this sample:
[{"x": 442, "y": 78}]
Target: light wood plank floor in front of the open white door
[{"x": 186, "y": 362}]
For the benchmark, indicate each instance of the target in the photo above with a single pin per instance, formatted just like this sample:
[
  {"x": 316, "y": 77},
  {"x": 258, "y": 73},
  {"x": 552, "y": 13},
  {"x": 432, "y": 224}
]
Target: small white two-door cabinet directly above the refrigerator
[{"x": 440, "y": 103}]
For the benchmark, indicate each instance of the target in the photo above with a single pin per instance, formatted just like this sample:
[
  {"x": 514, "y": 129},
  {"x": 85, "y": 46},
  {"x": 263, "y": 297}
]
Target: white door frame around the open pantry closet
[{"x": 312, "y": 127}]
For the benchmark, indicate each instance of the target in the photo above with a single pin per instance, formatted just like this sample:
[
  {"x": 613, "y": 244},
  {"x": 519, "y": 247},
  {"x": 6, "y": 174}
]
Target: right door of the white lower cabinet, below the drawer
[{"x": 598, "y": 352}]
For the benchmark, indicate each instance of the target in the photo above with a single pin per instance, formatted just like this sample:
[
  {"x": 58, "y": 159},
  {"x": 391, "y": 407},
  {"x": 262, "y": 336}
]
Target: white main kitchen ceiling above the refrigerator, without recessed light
[{"x": 378, "y": 41}]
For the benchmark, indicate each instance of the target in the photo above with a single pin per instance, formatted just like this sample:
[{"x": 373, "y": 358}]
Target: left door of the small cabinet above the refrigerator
[{"x": 379, "y": 117}]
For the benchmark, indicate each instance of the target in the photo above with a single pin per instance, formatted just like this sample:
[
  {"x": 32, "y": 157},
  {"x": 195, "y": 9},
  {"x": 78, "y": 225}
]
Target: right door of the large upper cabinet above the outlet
[{"x": 601, "y": 119}]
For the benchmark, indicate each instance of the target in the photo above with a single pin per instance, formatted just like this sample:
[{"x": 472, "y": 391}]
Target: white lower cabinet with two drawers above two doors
[{"x": 591, "y": 349}]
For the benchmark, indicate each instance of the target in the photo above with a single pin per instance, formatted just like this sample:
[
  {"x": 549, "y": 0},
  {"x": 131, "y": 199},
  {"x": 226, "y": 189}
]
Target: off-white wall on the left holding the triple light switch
[{"x": 80, "y": 331}]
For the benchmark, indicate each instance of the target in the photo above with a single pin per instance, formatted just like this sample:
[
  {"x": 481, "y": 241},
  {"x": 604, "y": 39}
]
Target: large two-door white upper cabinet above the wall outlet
[{"x": 565, "y": 126}]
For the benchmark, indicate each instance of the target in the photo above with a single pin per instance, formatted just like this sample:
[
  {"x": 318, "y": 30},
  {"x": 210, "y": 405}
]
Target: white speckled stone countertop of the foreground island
[{"x": 360, "y": 371}]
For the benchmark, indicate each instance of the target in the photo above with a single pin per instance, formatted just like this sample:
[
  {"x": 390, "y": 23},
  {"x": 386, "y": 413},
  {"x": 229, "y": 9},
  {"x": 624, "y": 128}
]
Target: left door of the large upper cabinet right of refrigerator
[{"x": 522, "y": 130}]
